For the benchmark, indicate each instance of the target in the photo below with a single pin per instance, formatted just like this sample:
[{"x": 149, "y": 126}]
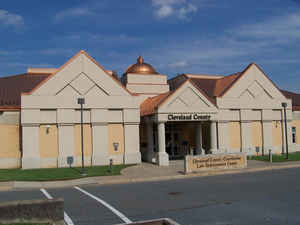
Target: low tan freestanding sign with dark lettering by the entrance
[{"x": 211, "y": 162}]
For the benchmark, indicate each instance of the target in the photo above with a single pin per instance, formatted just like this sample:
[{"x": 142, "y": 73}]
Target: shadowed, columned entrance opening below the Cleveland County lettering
[{"x": 177, "y": 139}]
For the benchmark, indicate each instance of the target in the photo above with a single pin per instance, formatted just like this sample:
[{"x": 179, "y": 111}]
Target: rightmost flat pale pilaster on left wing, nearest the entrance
[{"x": 132, "y": 143}]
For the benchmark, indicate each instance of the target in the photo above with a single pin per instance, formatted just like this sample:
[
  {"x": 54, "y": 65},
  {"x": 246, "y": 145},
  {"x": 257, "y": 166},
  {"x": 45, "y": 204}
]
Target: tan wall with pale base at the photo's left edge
[{"x": 10, "y": 152}]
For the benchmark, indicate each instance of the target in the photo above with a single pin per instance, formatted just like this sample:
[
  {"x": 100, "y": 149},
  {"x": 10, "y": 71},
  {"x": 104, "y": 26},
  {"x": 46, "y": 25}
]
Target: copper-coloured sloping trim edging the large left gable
[{"x": 82, "y": 52}]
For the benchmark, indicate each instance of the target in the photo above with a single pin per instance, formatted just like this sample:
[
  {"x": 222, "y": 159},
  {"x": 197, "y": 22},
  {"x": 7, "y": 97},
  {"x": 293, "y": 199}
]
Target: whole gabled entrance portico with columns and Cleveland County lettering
[{"x": 184, "y": 123}]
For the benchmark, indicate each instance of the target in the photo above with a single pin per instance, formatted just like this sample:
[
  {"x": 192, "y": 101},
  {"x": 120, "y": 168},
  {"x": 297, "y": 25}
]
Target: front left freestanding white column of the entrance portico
[{"x": 163, "y": 157}]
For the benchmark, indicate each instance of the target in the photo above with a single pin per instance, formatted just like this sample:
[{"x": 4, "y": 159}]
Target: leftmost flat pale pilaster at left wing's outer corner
[{"x": 30, "y": 142}]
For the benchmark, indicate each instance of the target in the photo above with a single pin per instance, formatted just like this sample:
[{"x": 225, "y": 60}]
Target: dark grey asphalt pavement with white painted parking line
[{"x": 266, "y": 198}]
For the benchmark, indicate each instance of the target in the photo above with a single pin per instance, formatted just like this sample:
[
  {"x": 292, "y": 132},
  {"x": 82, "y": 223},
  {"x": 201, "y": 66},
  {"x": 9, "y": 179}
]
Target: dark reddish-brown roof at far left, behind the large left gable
[{"x": 11, "y": 88}]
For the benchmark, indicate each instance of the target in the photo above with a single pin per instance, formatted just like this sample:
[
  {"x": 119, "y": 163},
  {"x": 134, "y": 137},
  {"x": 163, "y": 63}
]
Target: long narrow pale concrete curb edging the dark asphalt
[{"x": 17, "y": 185}]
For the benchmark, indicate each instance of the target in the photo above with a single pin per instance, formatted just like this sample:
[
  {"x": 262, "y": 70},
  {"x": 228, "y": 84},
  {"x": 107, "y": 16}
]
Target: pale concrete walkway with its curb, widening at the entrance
[{"x": 147, "y": 172}]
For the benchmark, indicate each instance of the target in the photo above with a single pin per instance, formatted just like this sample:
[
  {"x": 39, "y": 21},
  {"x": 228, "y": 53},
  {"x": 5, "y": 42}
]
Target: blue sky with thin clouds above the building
[{"x": 175, "y": 36}]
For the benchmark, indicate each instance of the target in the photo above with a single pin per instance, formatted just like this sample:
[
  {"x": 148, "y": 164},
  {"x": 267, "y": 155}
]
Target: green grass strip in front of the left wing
[{"x": 57, "y": 173}]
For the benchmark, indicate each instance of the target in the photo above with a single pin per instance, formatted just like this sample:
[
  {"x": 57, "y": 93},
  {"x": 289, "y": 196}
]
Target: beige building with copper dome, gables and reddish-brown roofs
[{"x": 142, "y": 115}]
